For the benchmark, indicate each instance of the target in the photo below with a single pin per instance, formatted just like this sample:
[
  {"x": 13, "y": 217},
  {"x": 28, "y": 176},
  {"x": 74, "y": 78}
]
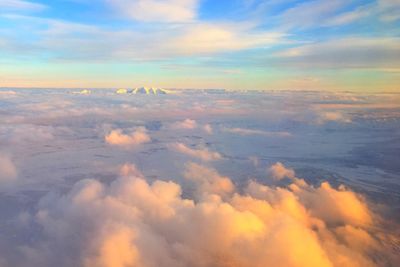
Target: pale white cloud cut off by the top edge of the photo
[{"x": 157, "y": 11}]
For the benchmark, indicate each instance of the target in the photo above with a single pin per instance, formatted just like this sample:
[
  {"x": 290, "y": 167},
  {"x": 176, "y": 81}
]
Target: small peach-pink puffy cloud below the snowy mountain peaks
[{"x": 137, "y": 137}]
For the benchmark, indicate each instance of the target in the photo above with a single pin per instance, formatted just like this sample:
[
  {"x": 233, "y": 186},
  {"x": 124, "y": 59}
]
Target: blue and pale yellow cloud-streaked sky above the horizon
[{"x": 336, "y": 45}]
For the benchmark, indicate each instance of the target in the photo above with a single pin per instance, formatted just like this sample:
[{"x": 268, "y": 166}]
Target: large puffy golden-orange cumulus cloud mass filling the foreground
[{"x": 132, "y": 222}]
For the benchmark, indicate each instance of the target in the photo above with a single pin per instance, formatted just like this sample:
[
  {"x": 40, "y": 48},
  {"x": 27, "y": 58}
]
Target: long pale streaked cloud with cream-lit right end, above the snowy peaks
[{"x": 127, "y": 45}]
